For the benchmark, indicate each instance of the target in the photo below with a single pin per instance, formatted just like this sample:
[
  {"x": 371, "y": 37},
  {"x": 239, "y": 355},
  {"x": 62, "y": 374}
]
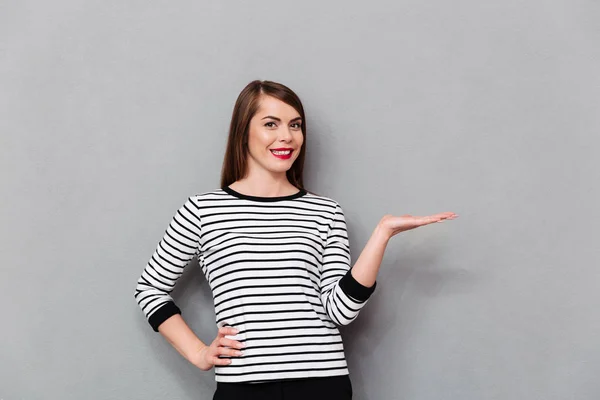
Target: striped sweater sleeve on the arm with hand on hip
[{"x": 178, "y": 246}]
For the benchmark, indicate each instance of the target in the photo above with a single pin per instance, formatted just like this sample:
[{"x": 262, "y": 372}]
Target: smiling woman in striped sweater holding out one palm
[{"x": 277, "y": 260}]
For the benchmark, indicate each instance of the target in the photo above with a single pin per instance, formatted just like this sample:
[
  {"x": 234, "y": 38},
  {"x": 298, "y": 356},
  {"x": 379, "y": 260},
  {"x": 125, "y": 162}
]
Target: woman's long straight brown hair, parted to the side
[{"x": 235, "y": 162}]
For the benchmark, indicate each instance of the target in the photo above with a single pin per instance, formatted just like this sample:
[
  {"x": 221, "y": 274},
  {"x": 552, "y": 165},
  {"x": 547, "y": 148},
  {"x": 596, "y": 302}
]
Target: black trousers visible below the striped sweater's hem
[{"x": 326, "y": 388}]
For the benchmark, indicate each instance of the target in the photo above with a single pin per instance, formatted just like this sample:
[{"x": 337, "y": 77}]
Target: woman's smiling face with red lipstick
[{"x": 274, "y": 136}]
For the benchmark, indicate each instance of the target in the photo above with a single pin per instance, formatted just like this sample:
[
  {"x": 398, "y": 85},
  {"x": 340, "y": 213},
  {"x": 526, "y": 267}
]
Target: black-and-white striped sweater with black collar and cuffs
[{"x": 279, "y": 272}]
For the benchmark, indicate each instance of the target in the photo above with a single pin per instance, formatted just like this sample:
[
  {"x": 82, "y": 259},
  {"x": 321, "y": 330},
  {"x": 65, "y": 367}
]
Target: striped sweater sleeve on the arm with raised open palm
[{"x": 342, "y": 296}]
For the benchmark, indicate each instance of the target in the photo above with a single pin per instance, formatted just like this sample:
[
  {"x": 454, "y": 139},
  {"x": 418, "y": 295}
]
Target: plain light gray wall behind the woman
[{"x": 114, "y": 112}]
